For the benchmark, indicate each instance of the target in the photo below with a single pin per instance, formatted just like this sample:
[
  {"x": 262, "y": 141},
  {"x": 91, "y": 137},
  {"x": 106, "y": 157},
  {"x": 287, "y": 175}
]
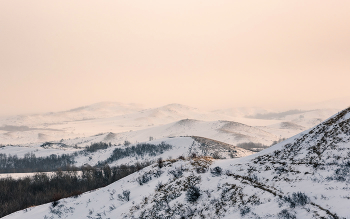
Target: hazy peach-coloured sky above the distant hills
[{"x": 56, "y": 55}]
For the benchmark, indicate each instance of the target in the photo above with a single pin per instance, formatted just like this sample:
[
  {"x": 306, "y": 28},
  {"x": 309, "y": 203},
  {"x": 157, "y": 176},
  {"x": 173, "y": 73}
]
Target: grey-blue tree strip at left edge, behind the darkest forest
[{"x": 31, "y": 163}]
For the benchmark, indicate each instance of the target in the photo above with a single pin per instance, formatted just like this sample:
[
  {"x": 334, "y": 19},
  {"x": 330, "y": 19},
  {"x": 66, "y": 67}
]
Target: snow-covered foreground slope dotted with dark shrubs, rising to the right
[{"x": 306, "y": 176}]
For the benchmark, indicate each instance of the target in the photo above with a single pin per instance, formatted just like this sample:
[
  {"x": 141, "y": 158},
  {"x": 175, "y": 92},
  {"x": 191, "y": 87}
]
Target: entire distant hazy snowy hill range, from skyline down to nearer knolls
[{"x": 132, "y": 122}]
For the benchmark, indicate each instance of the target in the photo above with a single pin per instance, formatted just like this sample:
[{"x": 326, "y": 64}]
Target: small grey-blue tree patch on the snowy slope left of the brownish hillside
[{"x": 138, "y": 150}]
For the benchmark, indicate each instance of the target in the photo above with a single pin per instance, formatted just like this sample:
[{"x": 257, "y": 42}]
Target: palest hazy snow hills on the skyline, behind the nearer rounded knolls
[{"x": 118, "y": 118}]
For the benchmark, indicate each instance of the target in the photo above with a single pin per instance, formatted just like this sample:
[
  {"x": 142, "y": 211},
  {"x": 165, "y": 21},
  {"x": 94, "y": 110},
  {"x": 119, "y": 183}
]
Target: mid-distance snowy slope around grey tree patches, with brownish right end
[{"x": 181, "y": 146}]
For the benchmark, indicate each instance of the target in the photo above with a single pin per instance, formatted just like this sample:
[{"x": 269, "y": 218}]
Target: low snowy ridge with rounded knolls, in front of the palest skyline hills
[{"x": 225, "y": 131}]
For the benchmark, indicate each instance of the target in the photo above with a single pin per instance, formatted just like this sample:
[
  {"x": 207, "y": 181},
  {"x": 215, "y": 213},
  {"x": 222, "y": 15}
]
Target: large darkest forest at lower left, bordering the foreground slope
[{"x": 18, "y": 194}]
